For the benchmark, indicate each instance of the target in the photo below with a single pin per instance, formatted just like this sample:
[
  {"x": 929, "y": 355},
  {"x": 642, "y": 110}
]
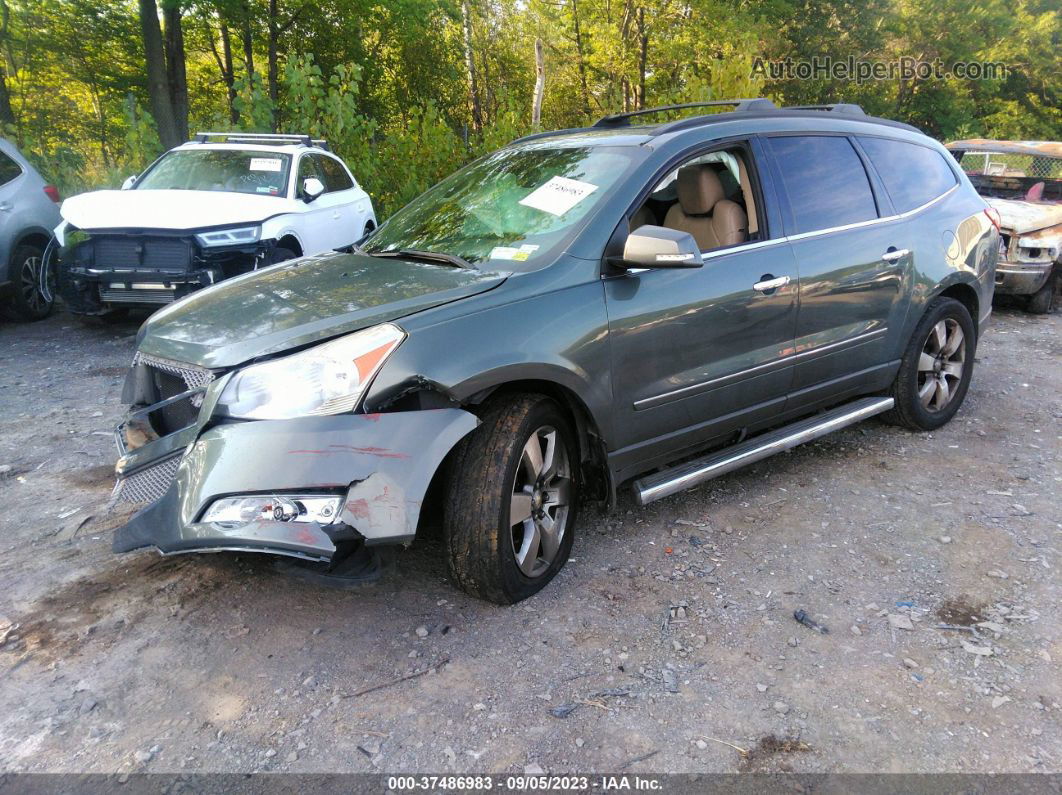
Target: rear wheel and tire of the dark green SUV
[{"x": 936, "y": 370}]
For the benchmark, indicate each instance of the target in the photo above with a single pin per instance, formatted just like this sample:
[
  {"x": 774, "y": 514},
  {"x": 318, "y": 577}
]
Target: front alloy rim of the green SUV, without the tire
[{"x": 539, "y": 506}]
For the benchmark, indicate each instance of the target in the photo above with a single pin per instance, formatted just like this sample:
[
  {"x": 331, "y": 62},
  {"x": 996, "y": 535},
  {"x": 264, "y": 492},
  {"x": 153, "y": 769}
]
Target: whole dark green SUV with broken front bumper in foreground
[{"x": 642, "y": 304}]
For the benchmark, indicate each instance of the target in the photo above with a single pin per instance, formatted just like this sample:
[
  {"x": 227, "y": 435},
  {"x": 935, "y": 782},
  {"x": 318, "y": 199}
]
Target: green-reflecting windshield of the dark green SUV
[{"x": 513, "y": 206}]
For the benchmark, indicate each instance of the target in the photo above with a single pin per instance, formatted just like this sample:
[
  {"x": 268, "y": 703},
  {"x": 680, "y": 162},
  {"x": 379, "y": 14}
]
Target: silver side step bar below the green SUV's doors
[{"x": 672, "y": 481}]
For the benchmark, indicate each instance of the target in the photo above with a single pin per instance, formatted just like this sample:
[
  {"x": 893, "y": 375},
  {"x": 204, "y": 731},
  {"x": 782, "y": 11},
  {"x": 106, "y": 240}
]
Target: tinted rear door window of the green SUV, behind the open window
[{"x": 825, "y": 180}]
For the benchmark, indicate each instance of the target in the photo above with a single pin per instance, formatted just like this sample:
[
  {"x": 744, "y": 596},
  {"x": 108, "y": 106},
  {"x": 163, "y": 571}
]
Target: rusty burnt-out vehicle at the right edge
[{"x": 1023, "y": 181}]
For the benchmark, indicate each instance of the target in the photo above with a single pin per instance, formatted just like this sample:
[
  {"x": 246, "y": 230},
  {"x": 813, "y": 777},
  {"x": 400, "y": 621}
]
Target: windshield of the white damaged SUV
[{"x": 230, "y": 170}]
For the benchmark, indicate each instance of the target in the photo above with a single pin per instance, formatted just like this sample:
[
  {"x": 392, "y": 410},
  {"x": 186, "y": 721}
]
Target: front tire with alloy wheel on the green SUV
[{"x": 512, "y": 498}]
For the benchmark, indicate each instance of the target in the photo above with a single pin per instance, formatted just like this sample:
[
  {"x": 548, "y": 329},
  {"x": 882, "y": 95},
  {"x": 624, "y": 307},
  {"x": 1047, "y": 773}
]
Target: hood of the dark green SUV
[{"x": 301, "y": 302}]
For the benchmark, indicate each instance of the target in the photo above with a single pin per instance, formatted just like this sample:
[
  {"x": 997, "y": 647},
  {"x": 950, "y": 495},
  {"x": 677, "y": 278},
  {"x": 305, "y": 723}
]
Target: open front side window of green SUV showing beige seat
[{"x": 710, "y": 196}]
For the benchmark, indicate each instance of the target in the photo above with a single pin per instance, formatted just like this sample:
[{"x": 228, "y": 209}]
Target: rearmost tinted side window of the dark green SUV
[{"x": 913, "y": 175}]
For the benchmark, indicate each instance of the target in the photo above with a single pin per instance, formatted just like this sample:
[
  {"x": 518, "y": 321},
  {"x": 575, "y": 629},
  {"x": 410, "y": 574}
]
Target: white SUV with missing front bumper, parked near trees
[{"x": 215, "y": 208}]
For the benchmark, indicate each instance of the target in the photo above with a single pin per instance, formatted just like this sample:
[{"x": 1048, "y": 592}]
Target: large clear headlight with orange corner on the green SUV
[{"x": 330, "y": 378}]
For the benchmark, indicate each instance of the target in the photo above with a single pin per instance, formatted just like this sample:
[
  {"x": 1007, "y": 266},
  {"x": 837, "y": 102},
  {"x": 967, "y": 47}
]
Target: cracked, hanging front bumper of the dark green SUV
[{"x": 381, "y": 465}]
